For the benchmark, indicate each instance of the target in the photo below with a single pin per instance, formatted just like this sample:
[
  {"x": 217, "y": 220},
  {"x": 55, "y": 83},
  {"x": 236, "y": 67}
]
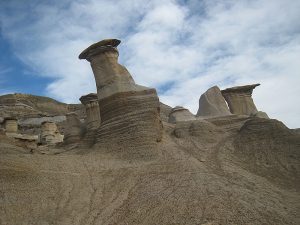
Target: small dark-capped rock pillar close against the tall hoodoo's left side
[{"x": 93, "y": 119}]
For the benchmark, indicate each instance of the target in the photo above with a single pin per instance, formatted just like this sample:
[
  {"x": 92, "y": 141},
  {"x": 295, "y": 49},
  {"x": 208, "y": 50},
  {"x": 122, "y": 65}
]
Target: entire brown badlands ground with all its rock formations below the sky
[{"x": 124, "y": 158}]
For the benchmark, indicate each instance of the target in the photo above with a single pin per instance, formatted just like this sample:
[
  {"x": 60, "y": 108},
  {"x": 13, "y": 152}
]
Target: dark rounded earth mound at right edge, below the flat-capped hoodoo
[{"x": 267, "y": 147}]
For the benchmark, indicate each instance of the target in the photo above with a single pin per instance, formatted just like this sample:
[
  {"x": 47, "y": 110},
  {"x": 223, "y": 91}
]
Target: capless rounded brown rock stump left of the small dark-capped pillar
[{"x": 74, "y": 129}]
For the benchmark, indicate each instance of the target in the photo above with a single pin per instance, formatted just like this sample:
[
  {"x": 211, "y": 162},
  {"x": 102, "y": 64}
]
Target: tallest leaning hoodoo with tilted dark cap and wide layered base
[{"x": 129, "y": 112}]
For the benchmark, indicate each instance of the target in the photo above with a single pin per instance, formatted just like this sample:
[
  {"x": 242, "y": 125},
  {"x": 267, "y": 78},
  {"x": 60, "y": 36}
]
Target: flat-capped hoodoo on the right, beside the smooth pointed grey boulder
[{"x": 240, "y": 100}]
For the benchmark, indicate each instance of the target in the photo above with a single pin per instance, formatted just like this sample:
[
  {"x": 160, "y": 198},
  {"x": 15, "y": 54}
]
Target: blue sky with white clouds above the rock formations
[{"x": 182, "y": 48}]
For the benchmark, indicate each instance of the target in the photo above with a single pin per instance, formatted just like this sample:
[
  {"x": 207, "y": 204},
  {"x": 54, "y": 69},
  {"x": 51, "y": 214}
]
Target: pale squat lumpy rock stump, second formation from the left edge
[{"x": 50, "y": 134}]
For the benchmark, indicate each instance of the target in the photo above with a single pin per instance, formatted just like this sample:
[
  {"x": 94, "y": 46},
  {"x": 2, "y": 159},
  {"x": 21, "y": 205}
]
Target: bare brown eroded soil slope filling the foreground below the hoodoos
[{"x": 219, "y": 172}]
